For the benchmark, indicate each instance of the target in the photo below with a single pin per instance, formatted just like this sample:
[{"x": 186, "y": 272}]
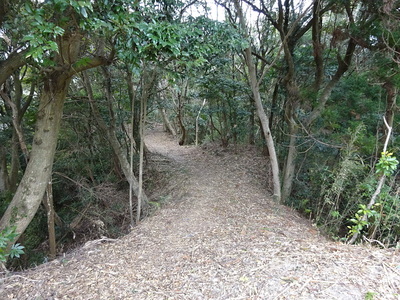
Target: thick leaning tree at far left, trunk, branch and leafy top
[{"x": 64, "y": 59}]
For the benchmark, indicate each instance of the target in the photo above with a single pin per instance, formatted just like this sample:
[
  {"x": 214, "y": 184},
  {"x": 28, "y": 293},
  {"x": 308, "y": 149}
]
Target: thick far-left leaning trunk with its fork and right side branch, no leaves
[{"x": 32, "y": 187}]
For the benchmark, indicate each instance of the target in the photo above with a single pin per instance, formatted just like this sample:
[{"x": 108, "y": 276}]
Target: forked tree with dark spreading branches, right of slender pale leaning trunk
[{"x": 293, "y": 22}]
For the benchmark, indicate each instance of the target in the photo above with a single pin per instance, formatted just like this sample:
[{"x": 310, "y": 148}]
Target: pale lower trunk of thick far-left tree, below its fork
[{"x": 32, "y": 187}]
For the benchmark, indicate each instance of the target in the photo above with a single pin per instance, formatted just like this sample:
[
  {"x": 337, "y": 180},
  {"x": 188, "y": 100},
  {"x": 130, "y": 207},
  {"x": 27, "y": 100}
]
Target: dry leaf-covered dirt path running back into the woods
[{"x": 217, "y": 236}]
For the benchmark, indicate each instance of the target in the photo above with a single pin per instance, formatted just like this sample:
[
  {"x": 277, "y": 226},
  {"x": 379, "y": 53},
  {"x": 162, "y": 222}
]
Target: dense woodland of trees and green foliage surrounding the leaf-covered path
[{"x": 312, "y": 84}]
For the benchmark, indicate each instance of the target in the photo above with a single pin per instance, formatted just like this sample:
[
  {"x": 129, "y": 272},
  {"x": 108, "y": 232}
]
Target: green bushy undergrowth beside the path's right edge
[{"x": 336, "y": 198}]
